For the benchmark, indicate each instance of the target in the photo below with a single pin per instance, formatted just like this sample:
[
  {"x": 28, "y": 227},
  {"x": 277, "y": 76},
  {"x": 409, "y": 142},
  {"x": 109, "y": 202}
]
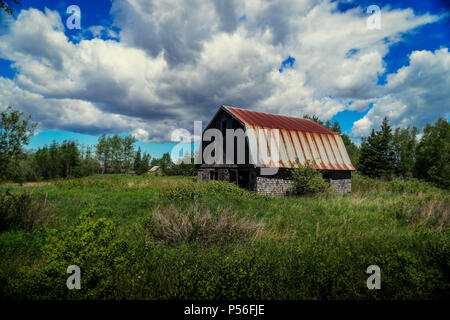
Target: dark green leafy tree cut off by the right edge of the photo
[{"x": 433, "y": 154}]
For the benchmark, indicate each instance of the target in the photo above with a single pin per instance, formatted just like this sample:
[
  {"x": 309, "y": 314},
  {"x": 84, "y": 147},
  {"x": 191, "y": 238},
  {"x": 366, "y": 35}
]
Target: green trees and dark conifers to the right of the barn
[{"x": 403, "y": 152}]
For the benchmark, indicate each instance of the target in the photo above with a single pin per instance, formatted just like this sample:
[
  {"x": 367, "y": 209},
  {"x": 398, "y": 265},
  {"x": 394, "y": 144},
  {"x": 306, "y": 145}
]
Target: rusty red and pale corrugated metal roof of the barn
[{"x": 299, "y": 139}]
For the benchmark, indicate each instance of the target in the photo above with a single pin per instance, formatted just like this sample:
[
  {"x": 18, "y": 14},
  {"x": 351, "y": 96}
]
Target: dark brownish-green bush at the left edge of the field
[{"x": 22, "y": 211}]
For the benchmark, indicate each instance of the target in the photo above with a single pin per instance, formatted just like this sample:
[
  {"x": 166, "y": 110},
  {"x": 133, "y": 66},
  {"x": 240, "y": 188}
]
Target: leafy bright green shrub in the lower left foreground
[{"x": 93, "y": 246}]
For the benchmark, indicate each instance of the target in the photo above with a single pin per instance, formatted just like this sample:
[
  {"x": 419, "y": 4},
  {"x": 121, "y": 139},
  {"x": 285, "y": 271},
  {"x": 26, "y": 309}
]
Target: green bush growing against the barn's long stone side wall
[{"x": 308, "y": 180}]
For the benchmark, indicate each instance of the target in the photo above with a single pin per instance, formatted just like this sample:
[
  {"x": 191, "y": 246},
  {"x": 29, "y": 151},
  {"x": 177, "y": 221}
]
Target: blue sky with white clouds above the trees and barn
[{"x": 148, "y": 68}]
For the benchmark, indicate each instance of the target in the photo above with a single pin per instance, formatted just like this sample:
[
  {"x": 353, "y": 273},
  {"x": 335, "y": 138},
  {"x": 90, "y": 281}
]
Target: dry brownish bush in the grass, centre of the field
[{"x": 198, "y": 225}]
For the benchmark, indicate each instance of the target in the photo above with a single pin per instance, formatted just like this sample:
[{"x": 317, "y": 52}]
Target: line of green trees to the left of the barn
[{"x": 111, "y": 154}]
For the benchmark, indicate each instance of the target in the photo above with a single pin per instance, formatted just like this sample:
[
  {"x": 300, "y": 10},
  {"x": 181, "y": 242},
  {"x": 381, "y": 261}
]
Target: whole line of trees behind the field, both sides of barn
[{"x": 385, "y": 153}]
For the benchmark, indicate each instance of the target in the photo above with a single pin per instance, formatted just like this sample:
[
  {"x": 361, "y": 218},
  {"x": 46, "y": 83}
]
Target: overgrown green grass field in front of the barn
[{"x": 141, "y": 237}]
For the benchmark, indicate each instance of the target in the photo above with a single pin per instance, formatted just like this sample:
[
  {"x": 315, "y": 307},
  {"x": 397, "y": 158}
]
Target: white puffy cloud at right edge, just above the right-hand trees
[{"x": 416, "y": 94}]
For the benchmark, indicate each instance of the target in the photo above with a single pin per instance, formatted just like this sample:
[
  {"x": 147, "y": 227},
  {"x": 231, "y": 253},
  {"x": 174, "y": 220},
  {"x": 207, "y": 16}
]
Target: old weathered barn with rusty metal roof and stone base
[{"x": 284, "y": 141}]
